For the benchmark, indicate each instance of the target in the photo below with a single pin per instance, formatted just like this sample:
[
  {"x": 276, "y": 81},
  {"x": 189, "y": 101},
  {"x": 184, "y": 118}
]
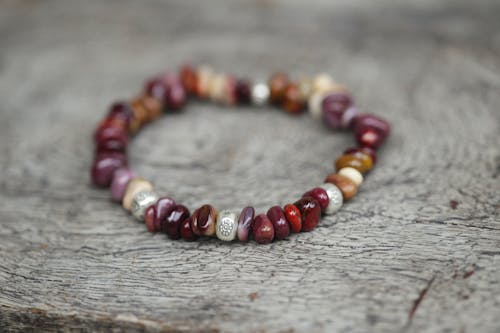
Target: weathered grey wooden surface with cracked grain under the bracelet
[{"x": 418, "y": 250}]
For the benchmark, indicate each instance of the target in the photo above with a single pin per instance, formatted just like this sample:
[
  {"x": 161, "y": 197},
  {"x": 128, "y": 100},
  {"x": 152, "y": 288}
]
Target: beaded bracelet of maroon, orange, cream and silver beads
[{"x": 322, "y": 96}]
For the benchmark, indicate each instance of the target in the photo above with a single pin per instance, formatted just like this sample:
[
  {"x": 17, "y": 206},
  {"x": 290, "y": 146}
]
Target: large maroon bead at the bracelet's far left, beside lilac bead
[{"x": 104, "y": 166}]
